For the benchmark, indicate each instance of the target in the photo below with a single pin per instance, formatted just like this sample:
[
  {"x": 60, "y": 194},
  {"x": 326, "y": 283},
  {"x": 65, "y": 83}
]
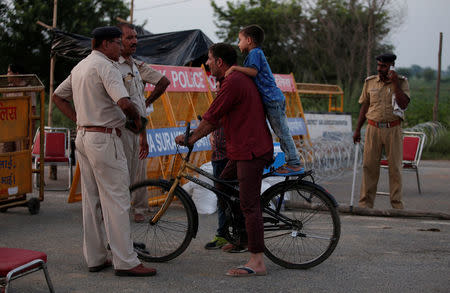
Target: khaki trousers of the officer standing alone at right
[{"x": 375, "y": 140}]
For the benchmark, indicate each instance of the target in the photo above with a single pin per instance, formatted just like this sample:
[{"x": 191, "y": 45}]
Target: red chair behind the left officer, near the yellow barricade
[{"x": 56, "y": 149}]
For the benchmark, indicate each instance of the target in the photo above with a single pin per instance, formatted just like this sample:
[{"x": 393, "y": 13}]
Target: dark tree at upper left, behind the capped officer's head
[{"x": 24, "y": 41}]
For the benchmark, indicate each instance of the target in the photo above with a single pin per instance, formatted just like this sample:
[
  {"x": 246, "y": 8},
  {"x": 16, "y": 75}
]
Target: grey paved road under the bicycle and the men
[{"x": 375, "y": 254}]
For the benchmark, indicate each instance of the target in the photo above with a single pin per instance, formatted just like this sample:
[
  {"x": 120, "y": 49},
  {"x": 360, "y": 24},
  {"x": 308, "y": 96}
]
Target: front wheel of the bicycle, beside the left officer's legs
[{"x": 171, "y": 235}]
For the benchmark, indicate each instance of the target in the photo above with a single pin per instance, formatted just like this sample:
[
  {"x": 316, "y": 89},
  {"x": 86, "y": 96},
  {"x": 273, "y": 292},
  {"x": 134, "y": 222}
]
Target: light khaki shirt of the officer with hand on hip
[{"x": 95, "y": 85}]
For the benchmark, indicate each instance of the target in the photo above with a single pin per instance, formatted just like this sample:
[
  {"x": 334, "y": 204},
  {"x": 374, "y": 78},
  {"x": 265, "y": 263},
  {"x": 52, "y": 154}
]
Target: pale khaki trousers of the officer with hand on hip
[{"x": 106, "y": 199}]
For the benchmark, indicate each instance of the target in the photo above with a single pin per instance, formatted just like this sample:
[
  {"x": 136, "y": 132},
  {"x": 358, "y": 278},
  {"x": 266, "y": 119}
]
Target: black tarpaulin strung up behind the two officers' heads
[{"x": 174, "y": 48}]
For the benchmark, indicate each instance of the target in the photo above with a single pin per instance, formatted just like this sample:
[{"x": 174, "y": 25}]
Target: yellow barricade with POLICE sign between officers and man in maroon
[{"x": 187, "y": 96}]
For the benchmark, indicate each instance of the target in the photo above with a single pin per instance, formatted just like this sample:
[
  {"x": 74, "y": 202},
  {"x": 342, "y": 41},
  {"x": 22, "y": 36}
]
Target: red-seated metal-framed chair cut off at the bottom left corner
[{"x": 16, "y": 263}]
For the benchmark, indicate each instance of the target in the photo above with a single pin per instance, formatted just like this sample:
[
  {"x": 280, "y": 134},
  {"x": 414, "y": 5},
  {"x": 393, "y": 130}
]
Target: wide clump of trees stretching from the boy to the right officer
[{"x": 323, "y": 42}]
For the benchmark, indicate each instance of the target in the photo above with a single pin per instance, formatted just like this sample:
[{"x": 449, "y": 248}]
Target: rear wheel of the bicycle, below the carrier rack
[{"x": 301, "y": 224}]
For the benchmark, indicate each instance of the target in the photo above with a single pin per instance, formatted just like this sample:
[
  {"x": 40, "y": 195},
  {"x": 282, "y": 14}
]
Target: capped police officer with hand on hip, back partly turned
[{"x": 101, "y": 105}]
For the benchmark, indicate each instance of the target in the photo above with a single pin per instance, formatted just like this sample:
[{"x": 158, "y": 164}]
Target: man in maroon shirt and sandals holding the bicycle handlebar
[{"x": 239, "y": 109}]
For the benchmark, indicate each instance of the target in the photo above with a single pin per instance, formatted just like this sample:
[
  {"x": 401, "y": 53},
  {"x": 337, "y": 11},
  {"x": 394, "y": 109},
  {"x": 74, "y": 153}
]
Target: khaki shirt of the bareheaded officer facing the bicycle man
[{"x": 135, "y": 74}]
